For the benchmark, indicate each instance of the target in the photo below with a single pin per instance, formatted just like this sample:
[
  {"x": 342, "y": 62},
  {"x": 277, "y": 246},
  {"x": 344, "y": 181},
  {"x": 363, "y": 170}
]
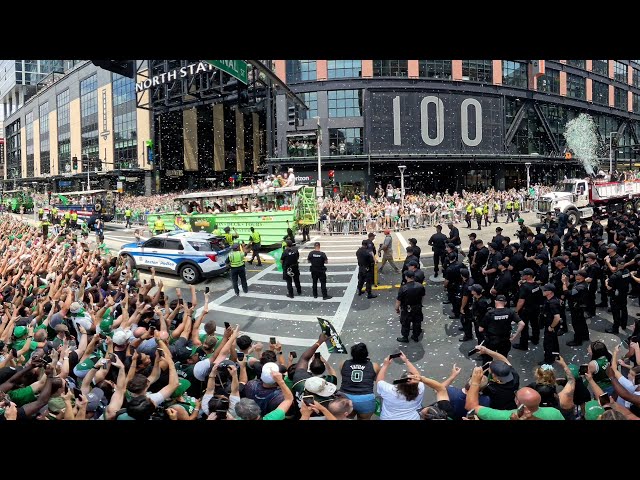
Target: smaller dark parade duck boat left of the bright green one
[{"x": 88, "y": 204}]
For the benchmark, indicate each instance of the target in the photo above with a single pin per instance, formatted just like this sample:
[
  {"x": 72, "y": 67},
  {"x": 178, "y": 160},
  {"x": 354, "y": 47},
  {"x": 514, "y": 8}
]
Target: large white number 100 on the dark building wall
[{"x": 469, "y": 108}]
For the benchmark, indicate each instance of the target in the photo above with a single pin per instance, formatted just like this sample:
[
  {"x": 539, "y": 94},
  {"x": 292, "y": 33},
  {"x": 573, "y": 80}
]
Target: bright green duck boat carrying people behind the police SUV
[{"x": 271, "y": 212}]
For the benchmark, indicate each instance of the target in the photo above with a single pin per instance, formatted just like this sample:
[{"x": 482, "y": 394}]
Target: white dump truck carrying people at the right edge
[{"x": 580, "y": 198}]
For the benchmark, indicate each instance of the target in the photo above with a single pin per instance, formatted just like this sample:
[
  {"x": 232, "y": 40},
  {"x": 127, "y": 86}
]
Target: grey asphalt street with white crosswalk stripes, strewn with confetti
[{"x": 266, "y": 311}]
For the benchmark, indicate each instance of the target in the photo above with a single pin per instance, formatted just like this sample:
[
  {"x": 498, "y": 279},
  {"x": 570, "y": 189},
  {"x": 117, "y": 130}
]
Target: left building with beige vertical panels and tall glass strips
[{"x": 84, "y": 120}]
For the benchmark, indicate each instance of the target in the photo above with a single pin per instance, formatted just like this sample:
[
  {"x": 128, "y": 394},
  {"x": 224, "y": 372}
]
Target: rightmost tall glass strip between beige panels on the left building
[{"x": 125, "y": 131}]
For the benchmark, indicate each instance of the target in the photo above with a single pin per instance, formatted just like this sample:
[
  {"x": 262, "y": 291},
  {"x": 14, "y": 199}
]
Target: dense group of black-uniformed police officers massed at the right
[{"x": 531, "y": 283}]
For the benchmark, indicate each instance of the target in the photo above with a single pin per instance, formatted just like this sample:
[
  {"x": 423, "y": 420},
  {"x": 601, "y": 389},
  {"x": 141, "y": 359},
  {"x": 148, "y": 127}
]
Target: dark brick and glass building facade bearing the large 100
[{"x": 454, "y": 123}]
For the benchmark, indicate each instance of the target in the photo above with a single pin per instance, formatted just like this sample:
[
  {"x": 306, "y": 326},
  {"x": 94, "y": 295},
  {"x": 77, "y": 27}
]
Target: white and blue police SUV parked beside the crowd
[{"x": 191, "y": 255}]
